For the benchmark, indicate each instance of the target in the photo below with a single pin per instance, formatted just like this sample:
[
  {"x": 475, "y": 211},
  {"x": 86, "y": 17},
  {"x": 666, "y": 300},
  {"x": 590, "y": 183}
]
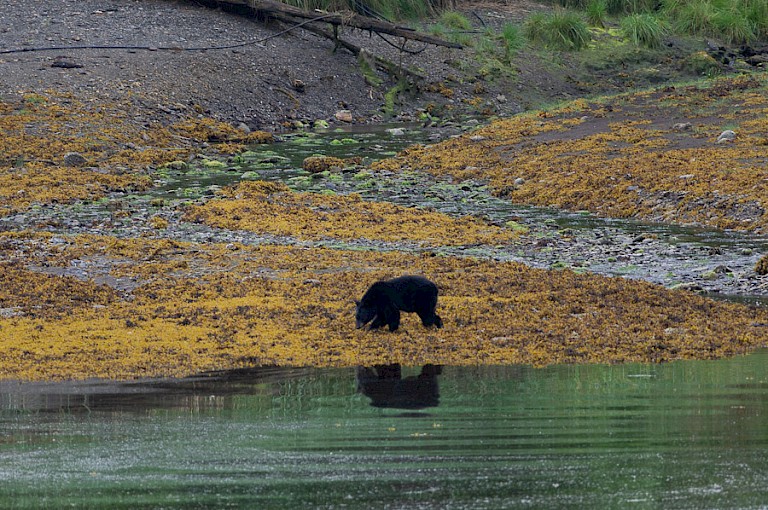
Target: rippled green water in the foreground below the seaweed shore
[{"x": 679, "y": 435}]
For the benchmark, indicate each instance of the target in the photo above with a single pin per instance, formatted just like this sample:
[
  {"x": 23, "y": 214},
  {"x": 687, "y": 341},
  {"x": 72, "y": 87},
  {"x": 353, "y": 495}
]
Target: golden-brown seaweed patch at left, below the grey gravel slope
[{"x": 114, "y": 151}]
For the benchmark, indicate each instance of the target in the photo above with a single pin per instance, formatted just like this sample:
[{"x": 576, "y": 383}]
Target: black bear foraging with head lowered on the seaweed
[{"x": 383, "y": 301}]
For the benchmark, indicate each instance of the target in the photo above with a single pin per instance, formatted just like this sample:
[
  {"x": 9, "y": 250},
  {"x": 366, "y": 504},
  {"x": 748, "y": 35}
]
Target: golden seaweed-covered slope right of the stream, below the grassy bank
[{"x": 652, "y": 155}]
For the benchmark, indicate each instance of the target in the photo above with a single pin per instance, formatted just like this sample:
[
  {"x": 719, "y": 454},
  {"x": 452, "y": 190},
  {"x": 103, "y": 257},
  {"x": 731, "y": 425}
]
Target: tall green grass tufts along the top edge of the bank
[{"x": 570, "y": 25}]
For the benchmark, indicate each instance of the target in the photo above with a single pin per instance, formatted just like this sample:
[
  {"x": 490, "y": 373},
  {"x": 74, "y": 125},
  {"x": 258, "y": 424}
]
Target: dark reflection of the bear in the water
[{"x": 386, "y": 387}]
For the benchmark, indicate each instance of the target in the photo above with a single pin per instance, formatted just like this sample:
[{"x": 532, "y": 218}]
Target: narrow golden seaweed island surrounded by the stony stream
[{"x": 272, "y": 208}]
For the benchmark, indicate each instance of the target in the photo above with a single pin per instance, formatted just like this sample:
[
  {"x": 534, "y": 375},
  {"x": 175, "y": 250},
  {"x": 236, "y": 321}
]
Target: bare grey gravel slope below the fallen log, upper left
[{"x": 253, "y": 83}]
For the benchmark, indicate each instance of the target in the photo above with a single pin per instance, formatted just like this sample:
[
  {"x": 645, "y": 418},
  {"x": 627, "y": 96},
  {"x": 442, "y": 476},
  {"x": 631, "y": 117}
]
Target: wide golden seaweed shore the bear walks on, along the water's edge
[{"x": 205, "y": 307}]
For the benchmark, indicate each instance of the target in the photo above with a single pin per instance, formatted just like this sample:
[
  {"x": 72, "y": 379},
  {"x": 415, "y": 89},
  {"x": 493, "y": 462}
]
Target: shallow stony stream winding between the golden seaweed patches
[{"x": 711, "y": 261}]
